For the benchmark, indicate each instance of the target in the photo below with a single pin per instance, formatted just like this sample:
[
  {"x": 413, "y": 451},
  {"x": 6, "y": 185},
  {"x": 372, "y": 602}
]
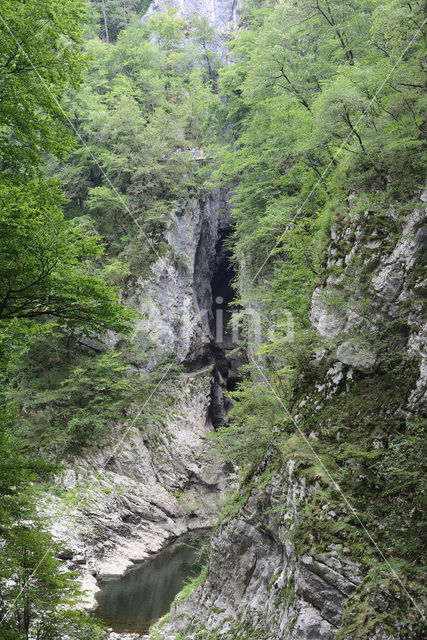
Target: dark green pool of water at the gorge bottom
[{"x": 135, "y": 601}]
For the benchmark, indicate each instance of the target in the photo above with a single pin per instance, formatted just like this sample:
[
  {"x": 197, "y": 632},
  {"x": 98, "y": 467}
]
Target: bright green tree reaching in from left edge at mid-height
[{"x": 43, "y": 273}]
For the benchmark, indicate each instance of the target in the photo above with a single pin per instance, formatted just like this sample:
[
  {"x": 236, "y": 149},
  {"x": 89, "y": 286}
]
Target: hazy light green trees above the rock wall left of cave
[{"x": 142, "y": 110}]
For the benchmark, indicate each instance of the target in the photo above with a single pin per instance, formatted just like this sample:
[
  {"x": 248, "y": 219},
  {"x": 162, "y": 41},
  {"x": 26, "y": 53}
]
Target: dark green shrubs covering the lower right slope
[{"x": 361, "y": 440}]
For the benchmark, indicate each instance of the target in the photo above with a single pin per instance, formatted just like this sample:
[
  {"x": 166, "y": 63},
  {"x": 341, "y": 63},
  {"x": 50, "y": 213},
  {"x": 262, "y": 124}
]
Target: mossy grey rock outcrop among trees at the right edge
[{"x": 390, "y": 297}]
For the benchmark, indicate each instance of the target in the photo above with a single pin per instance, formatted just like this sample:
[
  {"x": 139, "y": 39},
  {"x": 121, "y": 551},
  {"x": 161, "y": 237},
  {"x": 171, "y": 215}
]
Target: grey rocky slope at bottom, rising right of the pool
[{"x": 257, "y": 585}]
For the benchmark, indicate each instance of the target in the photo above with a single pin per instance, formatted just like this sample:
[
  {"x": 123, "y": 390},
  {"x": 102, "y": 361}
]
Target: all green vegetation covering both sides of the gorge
[{"x": 319, "y": 102}]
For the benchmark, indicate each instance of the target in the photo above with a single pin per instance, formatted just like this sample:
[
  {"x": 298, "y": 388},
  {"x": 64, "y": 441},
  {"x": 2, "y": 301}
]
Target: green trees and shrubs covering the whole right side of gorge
[{"x": 325, "y": 100}]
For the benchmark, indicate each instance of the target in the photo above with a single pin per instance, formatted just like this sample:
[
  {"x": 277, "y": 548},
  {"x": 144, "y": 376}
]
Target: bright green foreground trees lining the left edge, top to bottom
[{"x": 45, "y": 279}]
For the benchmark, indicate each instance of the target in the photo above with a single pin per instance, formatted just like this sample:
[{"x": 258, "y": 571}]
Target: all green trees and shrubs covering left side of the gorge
[{"x": 90, "y": 173}]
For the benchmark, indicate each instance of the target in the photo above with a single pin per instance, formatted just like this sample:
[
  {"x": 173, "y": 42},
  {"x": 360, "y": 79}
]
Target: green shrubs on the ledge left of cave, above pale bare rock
[{"x": 69, "y": 396}]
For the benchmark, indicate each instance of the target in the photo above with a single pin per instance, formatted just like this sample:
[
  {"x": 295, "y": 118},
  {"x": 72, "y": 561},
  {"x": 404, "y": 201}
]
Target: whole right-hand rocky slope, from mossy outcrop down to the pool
[{"x": 281, "y": 565}]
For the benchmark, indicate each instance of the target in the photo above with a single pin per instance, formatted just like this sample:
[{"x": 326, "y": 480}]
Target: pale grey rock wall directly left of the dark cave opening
[{"x": 176, "y": 302}]
